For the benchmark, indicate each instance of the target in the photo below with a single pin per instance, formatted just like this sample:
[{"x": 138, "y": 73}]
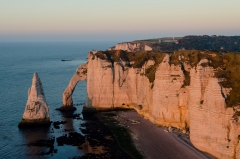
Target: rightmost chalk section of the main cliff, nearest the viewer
[{"x": 212, "y": 127}]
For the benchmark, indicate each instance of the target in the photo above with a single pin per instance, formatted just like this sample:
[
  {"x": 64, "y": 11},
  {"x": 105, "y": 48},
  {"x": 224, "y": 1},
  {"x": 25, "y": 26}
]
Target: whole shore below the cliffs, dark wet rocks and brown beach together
[{"x": 115, "y": 134}]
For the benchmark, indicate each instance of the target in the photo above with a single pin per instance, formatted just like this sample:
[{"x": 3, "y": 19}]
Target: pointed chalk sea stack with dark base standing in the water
[{"x": 36, "y": 111}]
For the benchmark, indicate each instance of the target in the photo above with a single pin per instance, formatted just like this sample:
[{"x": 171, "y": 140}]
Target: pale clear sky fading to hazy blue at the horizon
[{"x": 115, "y": 20}]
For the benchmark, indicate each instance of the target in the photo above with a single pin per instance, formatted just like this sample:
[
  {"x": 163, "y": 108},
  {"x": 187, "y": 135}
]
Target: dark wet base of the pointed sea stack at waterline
[{"x": 34, "y": 123}]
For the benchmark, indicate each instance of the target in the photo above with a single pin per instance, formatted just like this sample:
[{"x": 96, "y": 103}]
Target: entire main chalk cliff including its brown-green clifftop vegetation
[{"x": 193, "y": 90}]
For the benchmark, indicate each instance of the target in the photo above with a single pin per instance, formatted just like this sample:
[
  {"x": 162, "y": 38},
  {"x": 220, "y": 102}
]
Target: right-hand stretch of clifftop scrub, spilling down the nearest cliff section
[{"x": 226, "y": 65}]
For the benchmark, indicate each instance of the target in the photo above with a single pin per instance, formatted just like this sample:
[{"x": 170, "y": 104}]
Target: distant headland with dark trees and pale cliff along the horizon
[{"x": 171, "y": 44}]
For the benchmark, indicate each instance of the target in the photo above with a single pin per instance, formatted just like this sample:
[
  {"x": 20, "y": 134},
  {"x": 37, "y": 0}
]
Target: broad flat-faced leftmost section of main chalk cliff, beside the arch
[{"x": 114, "y": 84}]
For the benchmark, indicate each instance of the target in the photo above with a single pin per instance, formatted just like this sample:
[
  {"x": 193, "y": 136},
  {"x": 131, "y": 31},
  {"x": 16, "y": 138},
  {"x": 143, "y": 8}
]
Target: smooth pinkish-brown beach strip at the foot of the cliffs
[{"x": 157, "y": 143}]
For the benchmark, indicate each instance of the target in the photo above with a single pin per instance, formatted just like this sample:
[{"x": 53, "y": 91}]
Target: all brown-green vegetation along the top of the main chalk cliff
[{"x": 226, "y": 65}]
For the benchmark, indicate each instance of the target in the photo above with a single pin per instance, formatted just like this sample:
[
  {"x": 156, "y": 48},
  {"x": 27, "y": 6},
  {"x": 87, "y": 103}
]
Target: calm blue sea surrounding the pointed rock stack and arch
[{"x": 18, "y": 62}]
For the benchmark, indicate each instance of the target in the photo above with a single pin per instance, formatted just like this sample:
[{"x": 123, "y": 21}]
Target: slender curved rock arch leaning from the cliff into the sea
[{"x": 80, "y": 75}]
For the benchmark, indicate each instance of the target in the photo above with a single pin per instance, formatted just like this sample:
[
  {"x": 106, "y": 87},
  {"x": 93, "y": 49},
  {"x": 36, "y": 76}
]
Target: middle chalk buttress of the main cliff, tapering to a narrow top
[{"x": 167, "y": 86}]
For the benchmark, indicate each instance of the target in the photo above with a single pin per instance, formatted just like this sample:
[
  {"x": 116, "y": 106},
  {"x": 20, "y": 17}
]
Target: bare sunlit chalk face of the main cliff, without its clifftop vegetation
[{"x": 199, "y": 107}]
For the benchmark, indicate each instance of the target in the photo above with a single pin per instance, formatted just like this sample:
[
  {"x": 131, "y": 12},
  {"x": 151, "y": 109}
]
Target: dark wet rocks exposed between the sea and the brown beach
[{"x": 95, "y": 140}]
